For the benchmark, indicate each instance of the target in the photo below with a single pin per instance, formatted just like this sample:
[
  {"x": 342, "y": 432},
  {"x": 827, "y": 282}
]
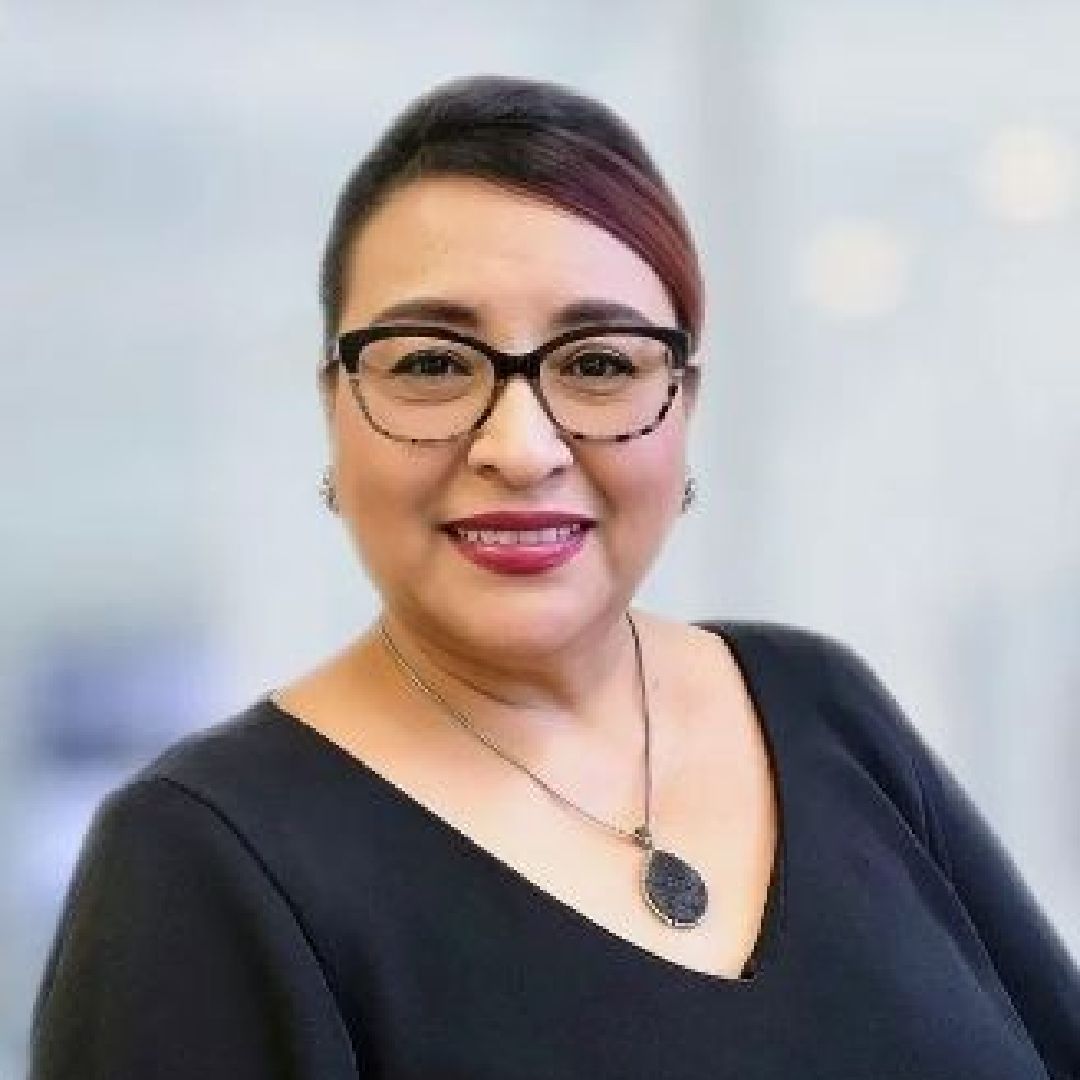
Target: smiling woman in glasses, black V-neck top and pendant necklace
[{"x": 518, "y": 829}]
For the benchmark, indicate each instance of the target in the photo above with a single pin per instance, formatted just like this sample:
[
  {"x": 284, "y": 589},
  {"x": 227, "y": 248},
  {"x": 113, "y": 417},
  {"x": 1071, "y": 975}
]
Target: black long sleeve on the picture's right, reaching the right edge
[{"x": 1030, "y": 957}]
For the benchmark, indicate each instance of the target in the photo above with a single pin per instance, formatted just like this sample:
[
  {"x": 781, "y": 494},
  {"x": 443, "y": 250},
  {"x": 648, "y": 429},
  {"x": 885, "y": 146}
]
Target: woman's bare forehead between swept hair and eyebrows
[{"x": 506, "y": 254}]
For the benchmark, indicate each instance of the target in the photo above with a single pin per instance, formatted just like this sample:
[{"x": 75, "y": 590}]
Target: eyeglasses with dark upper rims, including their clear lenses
[{"x": 599, "y": 384}]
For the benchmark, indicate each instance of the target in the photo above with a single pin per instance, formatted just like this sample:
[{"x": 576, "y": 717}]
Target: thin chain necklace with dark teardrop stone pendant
[{"x": 673, "y": 889}]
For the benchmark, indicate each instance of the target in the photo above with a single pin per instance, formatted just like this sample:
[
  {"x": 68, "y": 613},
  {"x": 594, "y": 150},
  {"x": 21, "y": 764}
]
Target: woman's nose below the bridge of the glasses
[{"x": 519, "y": 440}]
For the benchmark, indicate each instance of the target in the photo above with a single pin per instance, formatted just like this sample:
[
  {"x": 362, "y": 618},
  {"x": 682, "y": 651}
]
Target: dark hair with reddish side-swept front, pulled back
[{"x": 538, "y": 138}]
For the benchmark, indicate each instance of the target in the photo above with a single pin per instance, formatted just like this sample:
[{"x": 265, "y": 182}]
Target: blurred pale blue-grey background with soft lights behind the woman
[{"x": 887, "y": 201}]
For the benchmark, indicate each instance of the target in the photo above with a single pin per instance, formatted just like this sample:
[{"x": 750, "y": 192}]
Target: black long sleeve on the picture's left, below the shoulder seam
[{"x": 178, "y": 957}]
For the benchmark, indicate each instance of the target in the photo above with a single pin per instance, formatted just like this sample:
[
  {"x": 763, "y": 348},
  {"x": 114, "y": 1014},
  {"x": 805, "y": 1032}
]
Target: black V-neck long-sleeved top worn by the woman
[{"x": 256, "y": 903}]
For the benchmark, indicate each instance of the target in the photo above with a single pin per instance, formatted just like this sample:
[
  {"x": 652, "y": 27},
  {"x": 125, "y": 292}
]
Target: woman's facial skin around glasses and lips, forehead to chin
[{"x": 516, "y": 262}]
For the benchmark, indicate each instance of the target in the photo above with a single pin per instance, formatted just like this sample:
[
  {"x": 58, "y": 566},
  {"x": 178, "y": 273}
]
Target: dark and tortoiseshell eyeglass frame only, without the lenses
[{"x": 347, "y": 349}]
